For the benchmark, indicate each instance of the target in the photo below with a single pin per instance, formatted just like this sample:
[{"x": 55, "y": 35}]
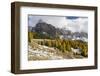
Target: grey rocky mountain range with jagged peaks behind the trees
[{"x": 50, "y": 30}]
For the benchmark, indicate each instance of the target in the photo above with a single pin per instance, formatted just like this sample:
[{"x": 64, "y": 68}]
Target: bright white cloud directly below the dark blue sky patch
[{"x": 78, "y": 25}]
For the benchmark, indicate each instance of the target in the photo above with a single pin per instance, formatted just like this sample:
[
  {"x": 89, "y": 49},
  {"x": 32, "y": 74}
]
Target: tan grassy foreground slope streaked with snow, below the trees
[{"x": 39, "y": 52}]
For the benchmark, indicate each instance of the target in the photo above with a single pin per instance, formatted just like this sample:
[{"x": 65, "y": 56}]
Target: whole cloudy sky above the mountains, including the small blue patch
[{"x": 73, "y": 23}]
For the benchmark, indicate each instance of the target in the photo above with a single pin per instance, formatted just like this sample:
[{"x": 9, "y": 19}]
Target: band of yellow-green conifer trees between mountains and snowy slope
[{"x": 64, "y": 45}]
